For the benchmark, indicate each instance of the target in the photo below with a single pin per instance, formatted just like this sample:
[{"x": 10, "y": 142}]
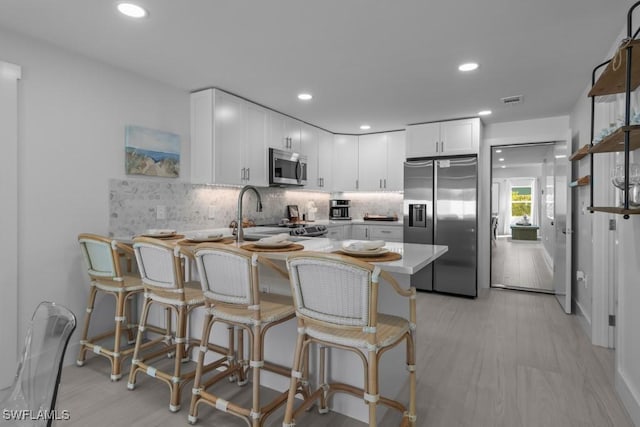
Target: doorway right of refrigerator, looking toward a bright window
[{"x": 523, "y": 217}]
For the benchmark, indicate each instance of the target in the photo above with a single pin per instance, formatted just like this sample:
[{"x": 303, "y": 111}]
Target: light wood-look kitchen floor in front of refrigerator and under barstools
[{"x": 505, "y": 359}]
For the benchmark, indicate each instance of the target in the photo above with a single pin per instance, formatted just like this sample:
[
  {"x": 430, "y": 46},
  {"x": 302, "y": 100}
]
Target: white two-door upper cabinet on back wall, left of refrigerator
[{"x": 381, "y": 161}]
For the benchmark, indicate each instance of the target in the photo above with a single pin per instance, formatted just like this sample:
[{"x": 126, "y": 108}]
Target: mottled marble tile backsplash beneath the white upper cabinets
[{"x": 133, "y": 204}]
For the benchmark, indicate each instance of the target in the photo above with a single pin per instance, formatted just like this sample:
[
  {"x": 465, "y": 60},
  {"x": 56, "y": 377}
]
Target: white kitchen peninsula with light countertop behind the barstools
[{"x": 344, "y": 365}]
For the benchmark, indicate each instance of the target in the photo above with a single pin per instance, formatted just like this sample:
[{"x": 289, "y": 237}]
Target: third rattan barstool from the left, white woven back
[{"x": 229, "y": 279}]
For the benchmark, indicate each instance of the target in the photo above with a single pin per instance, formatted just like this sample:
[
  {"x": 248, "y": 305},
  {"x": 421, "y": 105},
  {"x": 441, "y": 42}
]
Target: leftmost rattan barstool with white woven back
[{"x": 102, "y": 257}]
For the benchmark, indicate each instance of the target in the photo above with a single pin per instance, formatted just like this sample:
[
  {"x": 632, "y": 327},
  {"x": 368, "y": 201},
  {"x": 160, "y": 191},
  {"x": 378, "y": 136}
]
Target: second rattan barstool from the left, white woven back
[{"x": 161, "y": 267}]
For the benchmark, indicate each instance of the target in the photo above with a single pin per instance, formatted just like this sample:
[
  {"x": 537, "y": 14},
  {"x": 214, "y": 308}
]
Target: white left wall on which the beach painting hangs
[{"x": 71, "y": 141}]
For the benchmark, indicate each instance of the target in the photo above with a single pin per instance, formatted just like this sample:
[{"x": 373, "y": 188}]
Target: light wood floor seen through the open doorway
[{"x": 520, "y": 264}]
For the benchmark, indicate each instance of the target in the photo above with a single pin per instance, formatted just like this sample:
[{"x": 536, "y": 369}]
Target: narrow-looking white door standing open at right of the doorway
[{"x": 562, "y": 268}]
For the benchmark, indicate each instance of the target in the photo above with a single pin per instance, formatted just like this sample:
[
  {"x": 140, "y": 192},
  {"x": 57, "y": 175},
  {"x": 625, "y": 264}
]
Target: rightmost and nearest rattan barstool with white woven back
[{"x": 336, "y": 300}]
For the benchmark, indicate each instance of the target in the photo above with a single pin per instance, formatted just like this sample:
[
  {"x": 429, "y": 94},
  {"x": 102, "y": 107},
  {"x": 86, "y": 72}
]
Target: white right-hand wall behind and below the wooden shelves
[{"x": 609, "y": 259}]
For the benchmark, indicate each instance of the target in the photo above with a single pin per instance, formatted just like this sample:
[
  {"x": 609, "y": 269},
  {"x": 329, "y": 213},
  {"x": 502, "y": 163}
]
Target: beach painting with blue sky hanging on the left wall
[{"x": 151, "y": 152}]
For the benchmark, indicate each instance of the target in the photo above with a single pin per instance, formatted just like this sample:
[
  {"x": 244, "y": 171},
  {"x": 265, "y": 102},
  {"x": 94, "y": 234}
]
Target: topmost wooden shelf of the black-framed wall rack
[{"x": 612, "y": 82}]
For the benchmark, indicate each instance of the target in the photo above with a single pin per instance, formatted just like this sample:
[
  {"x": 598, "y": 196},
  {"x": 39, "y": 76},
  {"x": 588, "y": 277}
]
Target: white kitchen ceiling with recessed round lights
[{"x": 386, "y": 63}]
